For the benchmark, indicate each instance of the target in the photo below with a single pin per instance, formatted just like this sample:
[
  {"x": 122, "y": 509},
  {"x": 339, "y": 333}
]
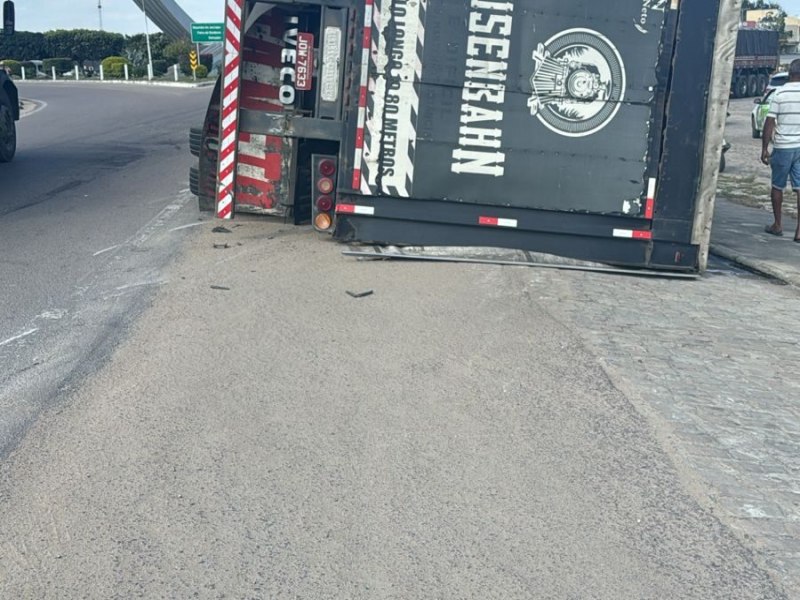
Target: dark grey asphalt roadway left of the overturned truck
[{"x": 85, "y": 211}]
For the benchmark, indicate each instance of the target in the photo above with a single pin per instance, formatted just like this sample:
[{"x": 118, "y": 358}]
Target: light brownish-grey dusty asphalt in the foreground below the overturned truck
[{"x": 262, "y": 434}]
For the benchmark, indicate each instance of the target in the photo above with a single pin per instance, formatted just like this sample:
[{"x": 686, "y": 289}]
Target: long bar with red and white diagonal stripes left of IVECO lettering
[{"x": 230, "y": 109}]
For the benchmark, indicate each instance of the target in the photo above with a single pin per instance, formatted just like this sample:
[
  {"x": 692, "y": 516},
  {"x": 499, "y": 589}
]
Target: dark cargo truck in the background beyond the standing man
[{"x": 757, "y": 58}]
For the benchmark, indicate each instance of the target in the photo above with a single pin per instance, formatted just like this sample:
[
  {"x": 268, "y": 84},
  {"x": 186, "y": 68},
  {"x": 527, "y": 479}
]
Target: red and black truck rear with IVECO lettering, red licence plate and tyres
[{"x": 290, "y": 103}]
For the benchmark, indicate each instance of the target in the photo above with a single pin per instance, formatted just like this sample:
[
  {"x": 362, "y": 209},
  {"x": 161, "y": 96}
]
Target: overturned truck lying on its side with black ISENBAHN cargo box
[{"x": 585, "y": 129}]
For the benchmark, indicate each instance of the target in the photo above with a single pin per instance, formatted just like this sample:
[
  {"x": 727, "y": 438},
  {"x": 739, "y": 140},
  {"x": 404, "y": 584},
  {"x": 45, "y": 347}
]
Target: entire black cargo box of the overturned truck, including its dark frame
[{"x": 568, "y": 157}]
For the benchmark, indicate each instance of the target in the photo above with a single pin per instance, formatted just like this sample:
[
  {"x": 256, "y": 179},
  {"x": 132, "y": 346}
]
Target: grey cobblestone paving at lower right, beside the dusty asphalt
[{"x": 714, "y": 363}]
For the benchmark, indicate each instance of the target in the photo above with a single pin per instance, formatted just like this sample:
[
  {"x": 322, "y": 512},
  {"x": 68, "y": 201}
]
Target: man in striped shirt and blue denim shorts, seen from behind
[{"x": 782, "y": 128}]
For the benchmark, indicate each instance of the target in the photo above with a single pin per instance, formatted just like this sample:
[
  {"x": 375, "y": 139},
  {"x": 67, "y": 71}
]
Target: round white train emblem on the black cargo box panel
[{"x": 578, "y": 82}]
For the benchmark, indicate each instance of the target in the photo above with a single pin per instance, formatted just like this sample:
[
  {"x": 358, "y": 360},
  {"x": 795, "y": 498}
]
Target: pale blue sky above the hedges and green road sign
[{"x": 119, "y": 16}]
